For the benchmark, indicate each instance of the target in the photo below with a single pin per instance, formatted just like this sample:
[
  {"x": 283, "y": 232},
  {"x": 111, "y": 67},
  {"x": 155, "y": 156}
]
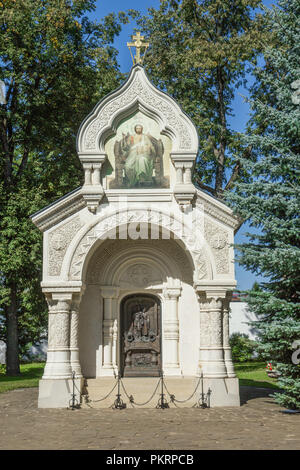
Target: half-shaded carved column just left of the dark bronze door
[{"x": 110, "y": 330}]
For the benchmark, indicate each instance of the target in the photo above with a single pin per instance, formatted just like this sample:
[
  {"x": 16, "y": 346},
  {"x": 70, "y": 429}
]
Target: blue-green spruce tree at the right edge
[{"x": 271, "y": 201}]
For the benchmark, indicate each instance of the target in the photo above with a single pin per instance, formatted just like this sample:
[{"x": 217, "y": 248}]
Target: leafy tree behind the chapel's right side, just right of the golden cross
[{"x": 199, "y": 53}]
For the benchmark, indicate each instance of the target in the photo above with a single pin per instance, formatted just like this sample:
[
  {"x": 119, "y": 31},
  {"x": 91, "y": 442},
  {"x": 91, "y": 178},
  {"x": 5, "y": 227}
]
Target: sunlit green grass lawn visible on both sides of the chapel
[{"x": 250, "y": 373}]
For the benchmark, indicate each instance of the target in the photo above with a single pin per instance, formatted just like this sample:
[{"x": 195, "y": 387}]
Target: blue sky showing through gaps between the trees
[{"x": 241, "y": 110}]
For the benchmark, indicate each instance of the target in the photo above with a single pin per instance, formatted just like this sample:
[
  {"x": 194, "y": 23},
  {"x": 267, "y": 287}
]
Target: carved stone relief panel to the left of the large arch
[{"x": 59, "y": 241}]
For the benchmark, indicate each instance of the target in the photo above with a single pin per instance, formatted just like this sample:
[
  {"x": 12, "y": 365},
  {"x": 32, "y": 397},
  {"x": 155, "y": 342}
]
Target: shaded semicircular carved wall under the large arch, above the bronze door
[{"x": 138, "y": 264}]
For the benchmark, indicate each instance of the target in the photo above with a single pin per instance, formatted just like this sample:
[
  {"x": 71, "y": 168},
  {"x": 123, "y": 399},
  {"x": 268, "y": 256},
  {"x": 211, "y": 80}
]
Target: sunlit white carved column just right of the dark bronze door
[{"x": 171, "y": 332}]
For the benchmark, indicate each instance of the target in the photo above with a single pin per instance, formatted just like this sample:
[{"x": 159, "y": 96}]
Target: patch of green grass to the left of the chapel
[{"x": 30, "y": 376}]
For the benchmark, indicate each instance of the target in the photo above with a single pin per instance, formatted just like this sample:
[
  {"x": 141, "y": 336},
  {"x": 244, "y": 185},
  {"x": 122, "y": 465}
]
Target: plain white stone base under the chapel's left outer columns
[{"x": 57, "y": 393}]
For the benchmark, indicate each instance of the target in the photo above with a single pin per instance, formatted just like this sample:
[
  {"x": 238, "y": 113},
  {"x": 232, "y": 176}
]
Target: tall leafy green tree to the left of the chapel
[{"x": 56, "y": 64}]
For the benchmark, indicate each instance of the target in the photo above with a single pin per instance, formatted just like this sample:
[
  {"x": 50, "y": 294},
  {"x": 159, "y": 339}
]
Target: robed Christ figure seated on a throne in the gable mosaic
[{"x": 140, "y": 153}]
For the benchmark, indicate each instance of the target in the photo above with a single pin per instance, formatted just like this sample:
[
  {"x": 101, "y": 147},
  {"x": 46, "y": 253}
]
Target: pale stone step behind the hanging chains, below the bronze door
[{"x": 141, "y": 388}]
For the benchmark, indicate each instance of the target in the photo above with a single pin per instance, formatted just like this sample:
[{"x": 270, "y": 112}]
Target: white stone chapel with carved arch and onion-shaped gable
[{"x": 138, "y": 267}]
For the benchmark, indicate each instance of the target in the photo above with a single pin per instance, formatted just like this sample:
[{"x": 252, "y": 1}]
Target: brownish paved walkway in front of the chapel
[{"x": 257, "y": 424}]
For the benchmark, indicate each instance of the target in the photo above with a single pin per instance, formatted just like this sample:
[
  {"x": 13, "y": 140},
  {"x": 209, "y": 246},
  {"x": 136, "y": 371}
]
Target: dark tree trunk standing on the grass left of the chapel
[{"x": 12, "y": 341}]
